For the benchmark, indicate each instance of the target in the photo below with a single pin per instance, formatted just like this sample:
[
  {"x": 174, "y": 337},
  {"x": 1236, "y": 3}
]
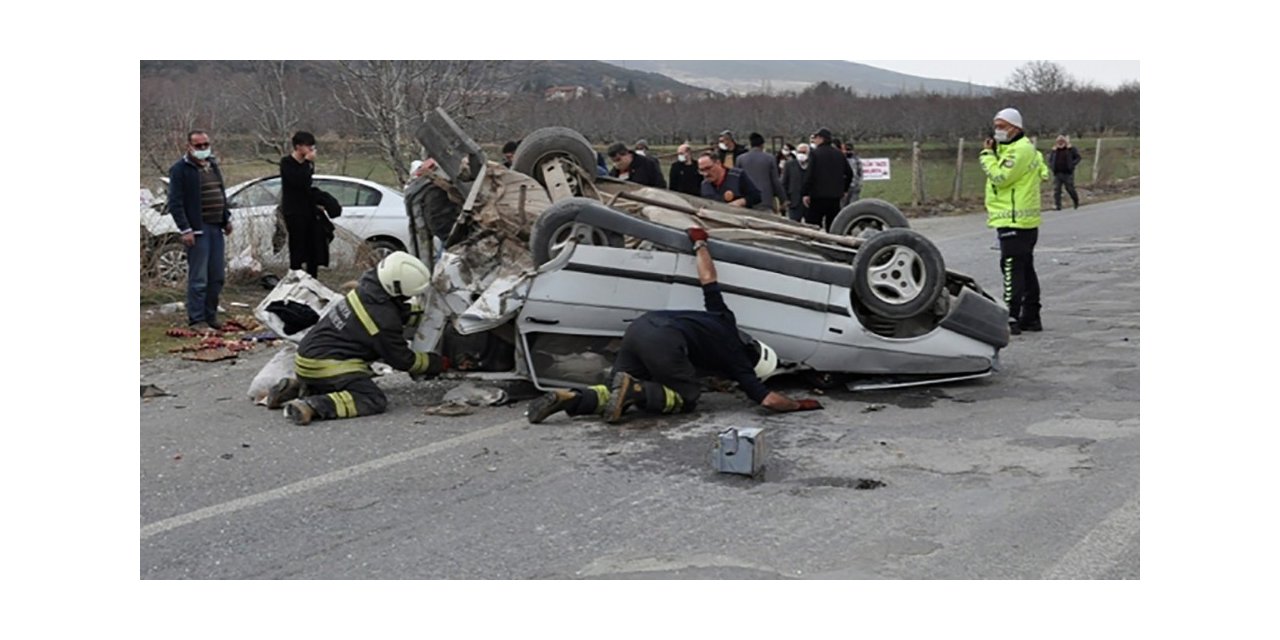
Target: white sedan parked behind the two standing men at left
[{"x": 371, "y": 212}]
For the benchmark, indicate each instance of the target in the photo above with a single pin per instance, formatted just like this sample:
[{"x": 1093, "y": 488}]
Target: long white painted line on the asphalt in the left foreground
[{"x": 323, "y": 481}]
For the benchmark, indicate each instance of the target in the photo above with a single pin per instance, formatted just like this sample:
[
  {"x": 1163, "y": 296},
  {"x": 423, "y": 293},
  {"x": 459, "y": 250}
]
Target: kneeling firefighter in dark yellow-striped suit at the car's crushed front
[{"x": 333, "y": 374}]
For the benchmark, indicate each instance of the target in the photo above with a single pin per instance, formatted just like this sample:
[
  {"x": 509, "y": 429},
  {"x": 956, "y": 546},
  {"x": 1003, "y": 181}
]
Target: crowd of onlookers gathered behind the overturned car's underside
[{"x": 811, "y": 181}]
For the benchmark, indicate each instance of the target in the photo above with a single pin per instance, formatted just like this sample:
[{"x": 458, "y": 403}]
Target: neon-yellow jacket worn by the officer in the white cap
[{"x": 1014, "y": 172}]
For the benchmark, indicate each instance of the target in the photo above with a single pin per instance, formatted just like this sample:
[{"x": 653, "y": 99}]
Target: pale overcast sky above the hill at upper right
[{"x": 1107, "y": 74}]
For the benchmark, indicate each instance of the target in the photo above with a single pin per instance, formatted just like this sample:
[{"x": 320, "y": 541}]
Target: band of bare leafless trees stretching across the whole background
[{"x": 383, "y": 102}]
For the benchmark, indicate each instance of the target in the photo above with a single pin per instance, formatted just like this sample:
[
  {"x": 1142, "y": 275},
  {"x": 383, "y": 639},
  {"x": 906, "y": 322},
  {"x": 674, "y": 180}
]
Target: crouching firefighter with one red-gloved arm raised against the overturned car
[{"x": 662, "y": 353}]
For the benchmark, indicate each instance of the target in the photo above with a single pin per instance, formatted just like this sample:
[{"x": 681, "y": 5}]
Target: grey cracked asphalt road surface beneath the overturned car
[{"x": 1028, "y": 474}]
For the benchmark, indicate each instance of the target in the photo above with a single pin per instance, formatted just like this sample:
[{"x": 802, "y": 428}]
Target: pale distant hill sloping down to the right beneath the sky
[{"x": 772, "y": 76}]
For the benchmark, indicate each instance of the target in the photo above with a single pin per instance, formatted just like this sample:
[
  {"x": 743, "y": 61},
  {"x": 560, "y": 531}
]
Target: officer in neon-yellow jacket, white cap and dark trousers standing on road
[{"x": 1014, "y": 173}]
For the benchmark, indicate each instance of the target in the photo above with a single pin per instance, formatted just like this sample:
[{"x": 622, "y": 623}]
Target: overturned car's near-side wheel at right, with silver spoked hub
[{"x": 898, "y": 275}]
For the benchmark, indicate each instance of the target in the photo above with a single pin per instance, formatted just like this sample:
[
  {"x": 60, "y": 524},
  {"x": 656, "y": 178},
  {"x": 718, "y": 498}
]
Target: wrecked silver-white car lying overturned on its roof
[{"x": 540, "y": 276}]
